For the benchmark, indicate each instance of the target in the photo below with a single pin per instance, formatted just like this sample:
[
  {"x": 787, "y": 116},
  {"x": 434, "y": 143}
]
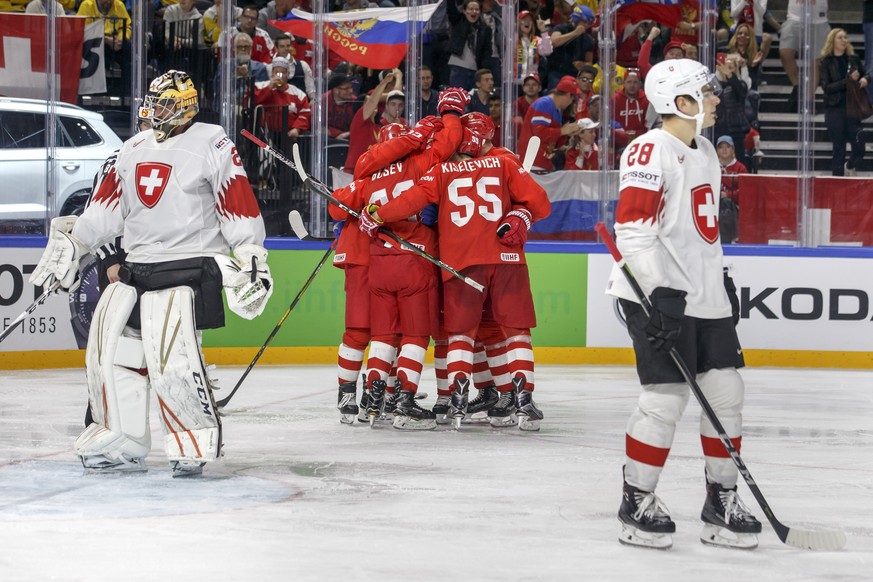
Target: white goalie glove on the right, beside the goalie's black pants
[{"x": 246, "y": 279}]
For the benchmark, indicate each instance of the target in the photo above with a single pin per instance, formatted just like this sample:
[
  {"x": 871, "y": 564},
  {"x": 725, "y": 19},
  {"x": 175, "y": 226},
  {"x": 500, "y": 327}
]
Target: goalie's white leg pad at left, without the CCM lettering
[{"x": 118, "y": 389}]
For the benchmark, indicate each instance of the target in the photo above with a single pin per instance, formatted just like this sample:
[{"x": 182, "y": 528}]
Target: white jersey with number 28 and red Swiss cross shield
[{"x": 666, "y": 222}]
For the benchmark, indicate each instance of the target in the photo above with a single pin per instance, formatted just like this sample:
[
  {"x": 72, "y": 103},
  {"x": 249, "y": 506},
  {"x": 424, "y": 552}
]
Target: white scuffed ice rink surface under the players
[{"x": 299, "y": 496}]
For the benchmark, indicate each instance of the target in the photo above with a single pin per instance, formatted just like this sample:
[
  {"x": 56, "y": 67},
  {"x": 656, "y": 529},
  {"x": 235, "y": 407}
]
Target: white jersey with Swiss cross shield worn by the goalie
[{"x": 182, "y": 198}]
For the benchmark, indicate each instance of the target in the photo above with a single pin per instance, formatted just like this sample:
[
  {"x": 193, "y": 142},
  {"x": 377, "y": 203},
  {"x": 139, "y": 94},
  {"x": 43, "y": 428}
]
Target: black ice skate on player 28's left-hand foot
[{"x": 645, "y": 520}]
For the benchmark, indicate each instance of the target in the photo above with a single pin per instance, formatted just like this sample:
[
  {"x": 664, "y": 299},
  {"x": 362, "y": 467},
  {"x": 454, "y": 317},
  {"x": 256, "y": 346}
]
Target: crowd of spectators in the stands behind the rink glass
[{"x": 556, "y": 72}]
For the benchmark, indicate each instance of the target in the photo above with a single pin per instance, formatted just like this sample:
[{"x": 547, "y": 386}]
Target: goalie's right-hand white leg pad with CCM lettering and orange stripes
[{"x": 192, "y": 427}]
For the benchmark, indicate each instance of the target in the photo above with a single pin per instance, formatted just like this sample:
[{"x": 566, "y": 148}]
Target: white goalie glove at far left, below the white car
[{"x": 60, "y": 259}]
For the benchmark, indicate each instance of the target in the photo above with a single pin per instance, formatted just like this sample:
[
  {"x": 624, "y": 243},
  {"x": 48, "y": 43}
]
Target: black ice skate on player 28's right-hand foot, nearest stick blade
[{"x": 727, "y": 521}]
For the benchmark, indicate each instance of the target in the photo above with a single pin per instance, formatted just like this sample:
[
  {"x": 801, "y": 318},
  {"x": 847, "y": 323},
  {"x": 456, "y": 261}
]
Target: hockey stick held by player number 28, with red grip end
[{"x": 807, "y": 540}]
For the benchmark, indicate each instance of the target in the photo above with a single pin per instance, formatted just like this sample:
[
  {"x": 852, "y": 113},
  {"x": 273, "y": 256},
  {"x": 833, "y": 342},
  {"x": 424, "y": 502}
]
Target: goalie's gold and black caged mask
[{"x": 170, "y": 104}]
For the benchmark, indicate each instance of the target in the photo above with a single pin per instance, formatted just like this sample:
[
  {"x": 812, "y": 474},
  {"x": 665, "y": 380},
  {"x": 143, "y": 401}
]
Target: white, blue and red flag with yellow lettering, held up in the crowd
[{"x": 375, "y": 38}]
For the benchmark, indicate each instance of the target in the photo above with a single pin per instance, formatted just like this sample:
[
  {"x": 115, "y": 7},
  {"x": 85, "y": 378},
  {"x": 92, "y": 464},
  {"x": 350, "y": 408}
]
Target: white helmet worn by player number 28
[{"x": 673, "y": 78}]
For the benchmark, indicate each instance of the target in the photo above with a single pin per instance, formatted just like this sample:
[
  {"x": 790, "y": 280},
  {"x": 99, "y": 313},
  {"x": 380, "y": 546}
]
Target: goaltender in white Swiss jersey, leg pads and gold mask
[{"x": 179, "y": 196}]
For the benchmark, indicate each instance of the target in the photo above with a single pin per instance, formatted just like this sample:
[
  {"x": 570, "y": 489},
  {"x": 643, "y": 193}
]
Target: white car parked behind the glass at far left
[{"x": 84, "y": 142}]
